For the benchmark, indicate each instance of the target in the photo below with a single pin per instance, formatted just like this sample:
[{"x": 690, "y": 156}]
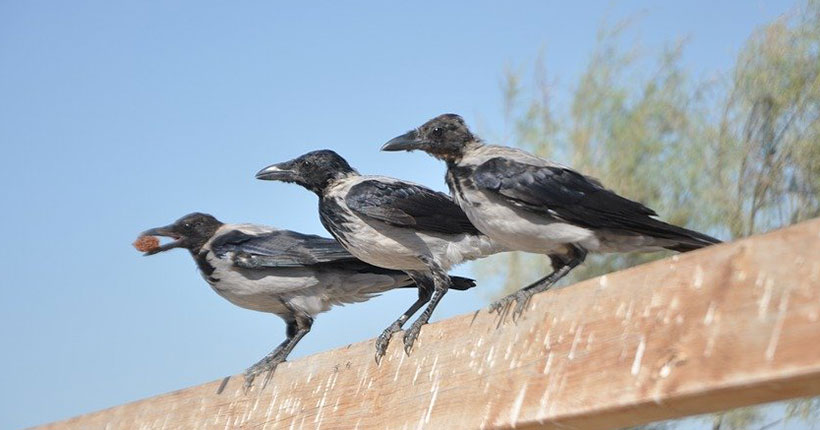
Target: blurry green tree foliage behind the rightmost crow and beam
[{"x": 731, "y": 156}]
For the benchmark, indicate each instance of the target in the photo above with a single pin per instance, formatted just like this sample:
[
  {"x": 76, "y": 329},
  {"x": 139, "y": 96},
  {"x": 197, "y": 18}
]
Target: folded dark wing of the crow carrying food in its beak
[{"x": 281, "y": 248}]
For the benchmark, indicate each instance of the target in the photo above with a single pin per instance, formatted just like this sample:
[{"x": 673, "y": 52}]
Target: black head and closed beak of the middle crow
[{"x": 315, "y": 170}]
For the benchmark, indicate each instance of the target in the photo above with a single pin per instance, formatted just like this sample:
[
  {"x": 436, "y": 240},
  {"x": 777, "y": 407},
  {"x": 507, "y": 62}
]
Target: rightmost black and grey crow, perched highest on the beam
[{"x": 531, "y": 204}]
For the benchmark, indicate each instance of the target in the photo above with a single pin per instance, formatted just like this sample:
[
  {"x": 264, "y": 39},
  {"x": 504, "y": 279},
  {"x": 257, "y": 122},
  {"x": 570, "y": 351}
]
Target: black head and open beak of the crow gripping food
[{"x": 189, "y": 232}]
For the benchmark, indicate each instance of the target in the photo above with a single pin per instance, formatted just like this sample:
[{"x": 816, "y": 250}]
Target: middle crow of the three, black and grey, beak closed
[{"x": 389, "y": 223}]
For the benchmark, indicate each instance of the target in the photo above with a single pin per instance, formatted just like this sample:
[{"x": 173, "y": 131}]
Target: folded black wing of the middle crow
[{"x": 408, "y": 205}]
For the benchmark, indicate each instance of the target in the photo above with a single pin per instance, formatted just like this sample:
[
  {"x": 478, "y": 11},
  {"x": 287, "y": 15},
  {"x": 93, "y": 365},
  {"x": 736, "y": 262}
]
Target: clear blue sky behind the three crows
[{"x": 119, "y": 116}]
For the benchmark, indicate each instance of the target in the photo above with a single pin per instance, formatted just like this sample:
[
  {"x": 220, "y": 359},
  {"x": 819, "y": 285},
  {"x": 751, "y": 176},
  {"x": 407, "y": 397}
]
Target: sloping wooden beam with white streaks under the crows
[{"x": 732, "y": 325}]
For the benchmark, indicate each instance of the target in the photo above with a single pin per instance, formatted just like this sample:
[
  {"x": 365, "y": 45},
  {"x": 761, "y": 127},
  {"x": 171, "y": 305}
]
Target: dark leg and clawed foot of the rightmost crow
[{"x": 562, "y": 264}]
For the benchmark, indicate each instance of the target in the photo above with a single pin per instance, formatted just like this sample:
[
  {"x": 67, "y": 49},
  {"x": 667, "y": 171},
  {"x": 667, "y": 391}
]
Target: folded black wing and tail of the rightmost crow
[{"x": 577, "y": 199}]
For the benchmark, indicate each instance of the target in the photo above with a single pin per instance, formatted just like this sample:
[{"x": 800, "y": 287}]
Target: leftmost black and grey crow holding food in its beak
[{"x": 293, "y": 275}]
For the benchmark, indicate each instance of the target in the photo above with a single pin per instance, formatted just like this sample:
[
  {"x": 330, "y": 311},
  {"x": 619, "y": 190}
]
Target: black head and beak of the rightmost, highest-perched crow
[{"x": 444, "y": 137}]
